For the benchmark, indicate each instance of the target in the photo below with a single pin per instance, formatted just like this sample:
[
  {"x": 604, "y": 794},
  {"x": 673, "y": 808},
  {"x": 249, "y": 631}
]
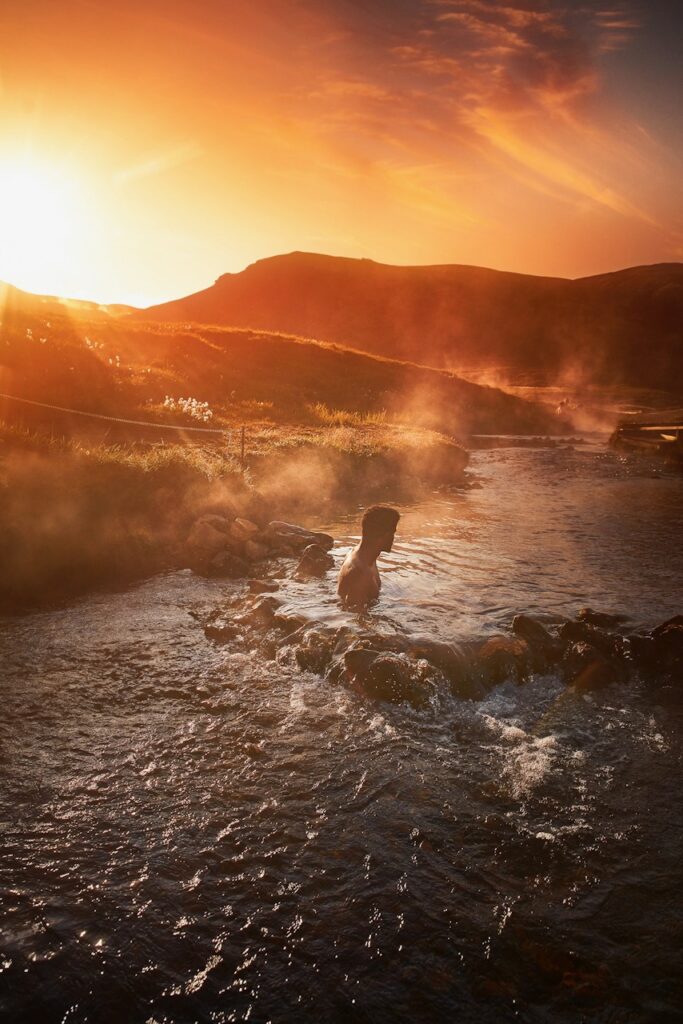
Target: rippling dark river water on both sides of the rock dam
[{"x": 194, "y": 835}]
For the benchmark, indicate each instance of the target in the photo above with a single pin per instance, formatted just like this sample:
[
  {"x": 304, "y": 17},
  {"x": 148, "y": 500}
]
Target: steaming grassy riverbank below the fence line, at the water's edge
[{"x": 77, "y": 516}]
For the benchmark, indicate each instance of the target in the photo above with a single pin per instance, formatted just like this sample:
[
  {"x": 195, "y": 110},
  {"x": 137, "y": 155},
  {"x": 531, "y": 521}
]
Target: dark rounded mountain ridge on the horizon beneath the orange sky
[{"x": 624, "y": 328}]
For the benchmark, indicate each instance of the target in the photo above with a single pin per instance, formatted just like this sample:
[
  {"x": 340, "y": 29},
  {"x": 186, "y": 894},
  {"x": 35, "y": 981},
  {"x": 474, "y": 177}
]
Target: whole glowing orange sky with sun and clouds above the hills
[{"x": 147, "y": 147}]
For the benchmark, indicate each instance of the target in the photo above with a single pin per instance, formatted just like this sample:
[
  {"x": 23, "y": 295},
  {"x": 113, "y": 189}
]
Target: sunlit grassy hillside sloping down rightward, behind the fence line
[{"x": 125, "y": 368}]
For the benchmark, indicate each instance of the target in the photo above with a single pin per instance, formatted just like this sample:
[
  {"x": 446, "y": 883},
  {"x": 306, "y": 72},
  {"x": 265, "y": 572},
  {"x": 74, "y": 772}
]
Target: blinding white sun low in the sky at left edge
[{"x": 42, "y": 226}]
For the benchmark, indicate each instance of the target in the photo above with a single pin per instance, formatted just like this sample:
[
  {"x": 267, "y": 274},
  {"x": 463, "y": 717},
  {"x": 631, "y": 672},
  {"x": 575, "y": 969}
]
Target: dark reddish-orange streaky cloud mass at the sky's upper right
[{"x": 502, "y": 84}]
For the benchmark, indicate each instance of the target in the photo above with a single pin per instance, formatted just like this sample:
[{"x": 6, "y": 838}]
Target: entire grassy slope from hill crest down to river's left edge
[{"x": 89, "y": 501}]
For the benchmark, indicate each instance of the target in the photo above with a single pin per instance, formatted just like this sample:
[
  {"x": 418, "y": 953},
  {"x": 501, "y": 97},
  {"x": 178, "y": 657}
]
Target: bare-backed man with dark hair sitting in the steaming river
[{"x": 359, "y": 582}]
